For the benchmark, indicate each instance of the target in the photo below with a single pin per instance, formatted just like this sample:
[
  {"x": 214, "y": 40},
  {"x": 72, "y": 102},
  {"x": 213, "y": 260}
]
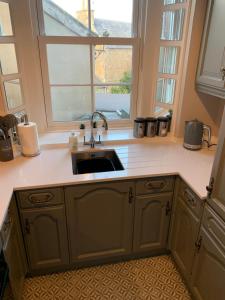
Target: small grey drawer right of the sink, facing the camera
[{"x": 154, "y": 185}]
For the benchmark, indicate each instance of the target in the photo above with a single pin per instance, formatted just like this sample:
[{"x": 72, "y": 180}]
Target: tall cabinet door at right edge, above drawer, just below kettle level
[{"x": 216, "y": 197}]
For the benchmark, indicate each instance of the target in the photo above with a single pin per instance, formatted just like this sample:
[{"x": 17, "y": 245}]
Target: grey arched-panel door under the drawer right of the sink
[{"x": 152, "y": 216}]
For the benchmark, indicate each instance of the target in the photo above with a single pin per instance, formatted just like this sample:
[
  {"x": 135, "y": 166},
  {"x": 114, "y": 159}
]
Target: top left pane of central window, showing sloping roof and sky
[{"x": 66, "y": 18}]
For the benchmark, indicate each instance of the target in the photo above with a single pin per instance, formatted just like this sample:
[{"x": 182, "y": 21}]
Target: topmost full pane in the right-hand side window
[{"x": 172, "y": 25}]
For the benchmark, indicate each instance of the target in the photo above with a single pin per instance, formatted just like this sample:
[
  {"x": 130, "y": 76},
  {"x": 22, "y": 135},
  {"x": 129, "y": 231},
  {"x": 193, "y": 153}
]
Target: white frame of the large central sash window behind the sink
[{"x": 92, "y": 41}]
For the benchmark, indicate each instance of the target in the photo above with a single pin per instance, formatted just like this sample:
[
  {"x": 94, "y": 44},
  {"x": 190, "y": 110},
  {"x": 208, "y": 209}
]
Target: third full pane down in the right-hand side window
[{"x": 165, "y": 90}]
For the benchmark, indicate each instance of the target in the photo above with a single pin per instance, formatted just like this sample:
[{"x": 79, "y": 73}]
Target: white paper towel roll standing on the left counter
[{"x": 29, "y": 139}]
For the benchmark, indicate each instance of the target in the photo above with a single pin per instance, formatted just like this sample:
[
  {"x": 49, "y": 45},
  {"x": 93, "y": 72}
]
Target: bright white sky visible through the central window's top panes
[{"x": 118, "y": 10}]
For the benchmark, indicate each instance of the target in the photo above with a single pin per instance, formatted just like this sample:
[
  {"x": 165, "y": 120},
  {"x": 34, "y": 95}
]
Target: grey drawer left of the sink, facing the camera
[{"x": 40, "y": 198}]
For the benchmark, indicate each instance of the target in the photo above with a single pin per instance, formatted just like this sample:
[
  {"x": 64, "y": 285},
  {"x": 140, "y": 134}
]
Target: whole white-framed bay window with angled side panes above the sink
[{"x": 63, "y": 60}]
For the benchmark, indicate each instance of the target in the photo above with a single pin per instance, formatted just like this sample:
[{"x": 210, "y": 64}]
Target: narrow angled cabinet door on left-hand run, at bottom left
[{"x": 14, "y": 261}]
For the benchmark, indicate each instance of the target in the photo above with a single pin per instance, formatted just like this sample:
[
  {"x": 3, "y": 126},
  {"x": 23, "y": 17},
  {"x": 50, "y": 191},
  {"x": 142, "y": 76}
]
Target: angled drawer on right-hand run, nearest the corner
[{"x": 192, "y": 201}]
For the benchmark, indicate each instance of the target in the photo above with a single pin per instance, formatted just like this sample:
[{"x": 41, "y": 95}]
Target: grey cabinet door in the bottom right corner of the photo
[{"x": 208, "y": 278}]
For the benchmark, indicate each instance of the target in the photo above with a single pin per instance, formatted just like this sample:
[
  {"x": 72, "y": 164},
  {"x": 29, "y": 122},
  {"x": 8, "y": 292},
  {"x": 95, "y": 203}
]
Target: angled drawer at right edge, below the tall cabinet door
[{"x": 214, "y": 225}]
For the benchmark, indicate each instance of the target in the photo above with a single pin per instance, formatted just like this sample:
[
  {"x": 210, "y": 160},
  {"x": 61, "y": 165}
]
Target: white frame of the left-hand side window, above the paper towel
[{"x": 7, "y": 77}]
